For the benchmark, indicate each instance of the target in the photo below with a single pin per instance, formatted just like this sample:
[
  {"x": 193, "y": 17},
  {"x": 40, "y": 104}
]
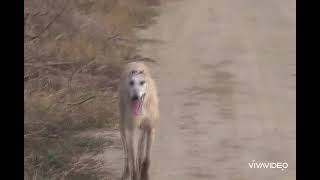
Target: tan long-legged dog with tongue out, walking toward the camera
[{"x": 139, "y": 112}]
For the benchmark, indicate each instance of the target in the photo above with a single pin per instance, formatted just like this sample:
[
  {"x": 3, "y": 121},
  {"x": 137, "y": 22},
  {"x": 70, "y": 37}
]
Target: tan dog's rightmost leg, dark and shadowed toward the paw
[{"x": 150, "y": 133}]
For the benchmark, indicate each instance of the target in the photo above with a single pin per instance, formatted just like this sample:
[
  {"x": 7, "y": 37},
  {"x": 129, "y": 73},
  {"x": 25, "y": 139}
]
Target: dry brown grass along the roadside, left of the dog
[{"x": 73, "y": 54}]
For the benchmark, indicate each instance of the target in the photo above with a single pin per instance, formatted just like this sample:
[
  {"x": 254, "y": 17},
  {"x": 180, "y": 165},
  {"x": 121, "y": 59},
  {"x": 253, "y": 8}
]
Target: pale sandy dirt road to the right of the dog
[{"x": 226, "y": 80}]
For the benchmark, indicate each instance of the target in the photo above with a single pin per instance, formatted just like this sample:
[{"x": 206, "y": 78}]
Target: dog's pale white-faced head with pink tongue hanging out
[{"x": 137, "y": 86}]
